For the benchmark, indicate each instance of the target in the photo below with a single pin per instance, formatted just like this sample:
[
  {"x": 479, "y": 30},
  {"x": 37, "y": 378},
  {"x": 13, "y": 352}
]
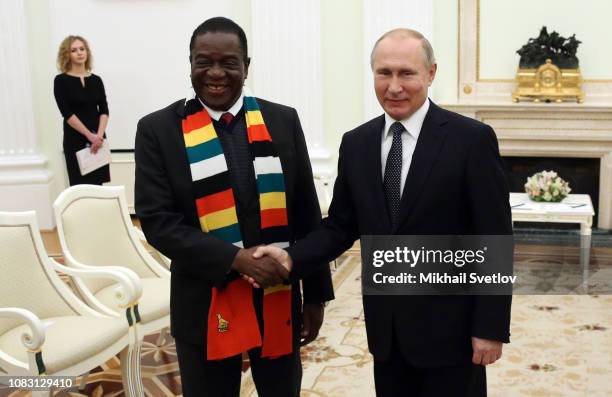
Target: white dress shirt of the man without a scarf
[{"x": 410, "y": 136}]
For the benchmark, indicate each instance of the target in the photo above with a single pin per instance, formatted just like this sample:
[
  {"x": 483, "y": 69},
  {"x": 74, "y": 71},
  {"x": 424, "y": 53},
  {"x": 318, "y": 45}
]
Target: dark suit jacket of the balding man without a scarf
[{"x": 455, "y": 186}]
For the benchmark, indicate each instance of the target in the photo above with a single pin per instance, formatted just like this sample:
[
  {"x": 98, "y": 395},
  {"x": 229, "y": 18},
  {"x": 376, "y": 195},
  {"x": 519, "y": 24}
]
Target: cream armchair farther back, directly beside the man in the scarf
[{"x": 95, "y": 230}]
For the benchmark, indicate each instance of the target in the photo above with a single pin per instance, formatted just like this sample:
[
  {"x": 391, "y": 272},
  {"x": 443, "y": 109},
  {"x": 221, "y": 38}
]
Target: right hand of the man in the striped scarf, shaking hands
[{"x": 264, "y": 272}]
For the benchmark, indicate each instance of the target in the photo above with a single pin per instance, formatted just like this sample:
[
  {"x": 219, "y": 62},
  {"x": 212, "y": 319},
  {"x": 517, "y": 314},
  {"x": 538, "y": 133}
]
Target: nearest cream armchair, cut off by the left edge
[{"x": 44, "y": 327}]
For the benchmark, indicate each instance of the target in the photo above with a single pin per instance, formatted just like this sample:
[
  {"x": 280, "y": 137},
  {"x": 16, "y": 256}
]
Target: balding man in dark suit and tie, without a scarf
[{"x": 417, "y": 170}]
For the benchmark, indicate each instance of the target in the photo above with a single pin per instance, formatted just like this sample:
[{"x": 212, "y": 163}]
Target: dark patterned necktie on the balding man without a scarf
[{"x": 393, "y": 173}]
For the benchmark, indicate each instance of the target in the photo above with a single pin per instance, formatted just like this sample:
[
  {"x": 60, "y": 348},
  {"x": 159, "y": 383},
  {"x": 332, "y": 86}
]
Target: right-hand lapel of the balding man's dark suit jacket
[{"x": 425, "y": 154}]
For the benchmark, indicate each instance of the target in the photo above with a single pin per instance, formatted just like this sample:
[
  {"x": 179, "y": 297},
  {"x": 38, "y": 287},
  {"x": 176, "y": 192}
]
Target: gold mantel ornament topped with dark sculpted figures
[{"x": 548, "y": 70}]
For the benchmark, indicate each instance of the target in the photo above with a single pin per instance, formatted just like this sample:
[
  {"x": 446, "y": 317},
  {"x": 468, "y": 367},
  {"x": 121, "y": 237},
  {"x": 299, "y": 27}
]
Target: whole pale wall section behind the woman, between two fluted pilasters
[{"x": 140, "y": 50}]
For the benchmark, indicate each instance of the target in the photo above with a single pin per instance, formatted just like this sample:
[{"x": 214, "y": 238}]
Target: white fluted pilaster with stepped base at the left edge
[{"x": 25, "y": 180}]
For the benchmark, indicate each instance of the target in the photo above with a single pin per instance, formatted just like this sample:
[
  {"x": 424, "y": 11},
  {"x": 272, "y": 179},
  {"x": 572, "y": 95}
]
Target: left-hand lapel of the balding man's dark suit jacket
[{"x": 373, "y": 172}]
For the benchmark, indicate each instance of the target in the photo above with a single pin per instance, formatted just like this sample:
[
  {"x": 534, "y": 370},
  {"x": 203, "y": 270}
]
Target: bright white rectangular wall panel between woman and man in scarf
[{"x": 140, "y": 50}]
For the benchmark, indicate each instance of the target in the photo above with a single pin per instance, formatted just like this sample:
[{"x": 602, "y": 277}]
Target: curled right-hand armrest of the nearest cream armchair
[{"x": 128, "y": 292}]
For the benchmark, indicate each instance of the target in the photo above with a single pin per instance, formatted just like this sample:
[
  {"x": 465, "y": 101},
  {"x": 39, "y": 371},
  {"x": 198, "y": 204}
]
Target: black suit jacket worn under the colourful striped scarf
[{"x": 166, "y": 208}]
